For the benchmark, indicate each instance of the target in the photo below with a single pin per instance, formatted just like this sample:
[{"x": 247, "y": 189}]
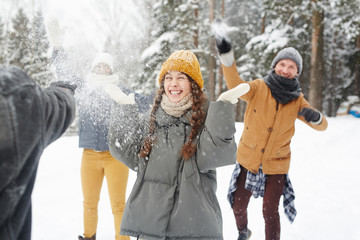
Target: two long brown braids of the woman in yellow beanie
[{"x": 197, "y": 118}]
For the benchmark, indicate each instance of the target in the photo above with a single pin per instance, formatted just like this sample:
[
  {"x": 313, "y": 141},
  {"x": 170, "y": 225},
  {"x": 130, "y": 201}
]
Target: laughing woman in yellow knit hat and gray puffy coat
[{"x": 175, "y": 150}]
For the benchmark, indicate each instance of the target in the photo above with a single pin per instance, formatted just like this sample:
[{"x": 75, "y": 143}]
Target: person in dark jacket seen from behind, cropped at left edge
[{"x": 30, "y": 119}]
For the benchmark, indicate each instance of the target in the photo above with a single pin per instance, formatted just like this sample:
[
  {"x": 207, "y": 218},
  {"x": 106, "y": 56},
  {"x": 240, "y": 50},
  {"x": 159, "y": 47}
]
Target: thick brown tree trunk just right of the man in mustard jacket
[{"x": 317, "y": 64}]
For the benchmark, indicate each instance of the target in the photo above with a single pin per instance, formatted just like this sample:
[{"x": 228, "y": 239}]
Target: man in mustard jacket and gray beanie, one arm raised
[{"x": 263, "y": 155}]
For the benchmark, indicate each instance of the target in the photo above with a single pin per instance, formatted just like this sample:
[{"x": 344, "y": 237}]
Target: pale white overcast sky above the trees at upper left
[{"x": 85, "y": 20}]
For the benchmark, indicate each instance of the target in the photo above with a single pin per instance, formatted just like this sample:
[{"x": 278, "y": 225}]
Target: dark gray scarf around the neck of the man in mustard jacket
[{"x": 283, "y": 89}]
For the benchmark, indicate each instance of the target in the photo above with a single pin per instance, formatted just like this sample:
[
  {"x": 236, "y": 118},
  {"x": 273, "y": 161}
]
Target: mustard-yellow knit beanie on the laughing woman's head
[{"x": 183, "y": 61}]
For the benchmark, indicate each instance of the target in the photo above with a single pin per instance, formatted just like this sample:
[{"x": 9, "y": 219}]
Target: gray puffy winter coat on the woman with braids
[{"x": 173, "y": 198}]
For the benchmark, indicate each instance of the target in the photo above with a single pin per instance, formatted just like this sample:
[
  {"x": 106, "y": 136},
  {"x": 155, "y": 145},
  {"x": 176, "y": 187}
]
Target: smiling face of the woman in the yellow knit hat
[{"x": 176, "y": 85}]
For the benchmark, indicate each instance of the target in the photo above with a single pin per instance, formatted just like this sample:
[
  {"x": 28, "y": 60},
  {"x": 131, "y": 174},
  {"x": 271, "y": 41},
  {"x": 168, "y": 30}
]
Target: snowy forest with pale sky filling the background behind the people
[{"x": 141, "y": 34}]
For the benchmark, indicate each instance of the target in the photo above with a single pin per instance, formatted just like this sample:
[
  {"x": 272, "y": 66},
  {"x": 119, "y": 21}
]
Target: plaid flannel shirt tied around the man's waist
[{"x": 256, "y": 184}]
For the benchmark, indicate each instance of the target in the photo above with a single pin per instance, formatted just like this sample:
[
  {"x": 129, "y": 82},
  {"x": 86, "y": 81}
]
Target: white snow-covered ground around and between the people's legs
[{"x": 324, "y": 172}]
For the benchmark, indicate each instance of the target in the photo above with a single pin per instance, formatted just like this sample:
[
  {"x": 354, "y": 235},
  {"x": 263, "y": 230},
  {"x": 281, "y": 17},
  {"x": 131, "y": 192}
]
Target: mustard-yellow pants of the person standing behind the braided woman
[{"x": 94, "y": 165}]
